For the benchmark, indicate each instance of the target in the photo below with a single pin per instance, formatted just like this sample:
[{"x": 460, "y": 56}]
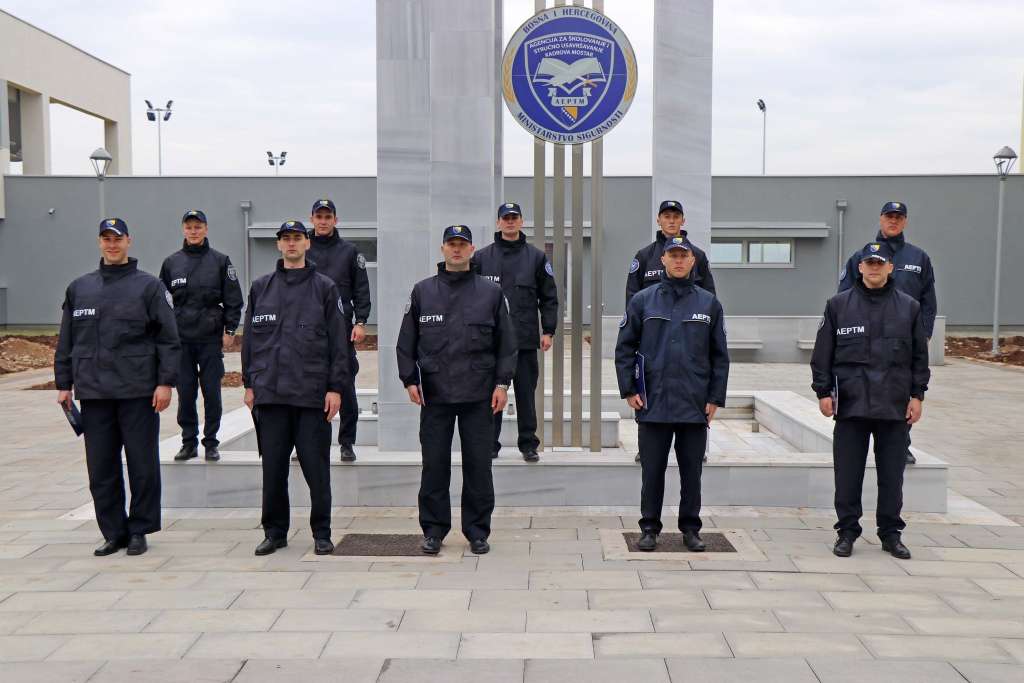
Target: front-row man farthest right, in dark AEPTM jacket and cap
[{"x": 870, "y": 369}]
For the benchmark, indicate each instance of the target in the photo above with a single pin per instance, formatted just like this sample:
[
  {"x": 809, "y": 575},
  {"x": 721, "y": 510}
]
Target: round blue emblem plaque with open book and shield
[{"x": 569, "y": 75}]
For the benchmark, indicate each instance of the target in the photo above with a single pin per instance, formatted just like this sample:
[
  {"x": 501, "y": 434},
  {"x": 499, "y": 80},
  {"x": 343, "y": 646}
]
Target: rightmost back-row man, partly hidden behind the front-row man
[{"x": 913, "y": 273}]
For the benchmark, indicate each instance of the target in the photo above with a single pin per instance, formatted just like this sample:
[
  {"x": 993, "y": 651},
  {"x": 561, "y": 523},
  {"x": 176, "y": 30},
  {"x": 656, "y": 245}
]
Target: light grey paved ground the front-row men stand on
[{"x": 544, "y": 606}]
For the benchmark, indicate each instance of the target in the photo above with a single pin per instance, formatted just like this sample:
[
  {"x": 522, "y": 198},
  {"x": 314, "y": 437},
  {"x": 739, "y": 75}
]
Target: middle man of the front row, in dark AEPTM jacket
[{"x": 457, "y": 353}]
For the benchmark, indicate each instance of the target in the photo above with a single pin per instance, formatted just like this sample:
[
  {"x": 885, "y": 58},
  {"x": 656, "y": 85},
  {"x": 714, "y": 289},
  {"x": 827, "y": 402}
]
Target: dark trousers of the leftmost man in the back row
[{"x": 202, "y": 367}]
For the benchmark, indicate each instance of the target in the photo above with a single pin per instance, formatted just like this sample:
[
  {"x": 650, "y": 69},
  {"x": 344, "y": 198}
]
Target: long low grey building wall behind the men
[{"x": 953, "y": 218}]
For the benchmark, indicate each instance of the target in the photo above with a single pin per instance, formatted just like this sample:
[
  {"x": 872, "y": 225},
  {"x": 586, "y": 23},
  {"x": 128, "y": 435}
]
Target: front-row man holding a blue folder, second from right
[{"x": 673, "y": 366}]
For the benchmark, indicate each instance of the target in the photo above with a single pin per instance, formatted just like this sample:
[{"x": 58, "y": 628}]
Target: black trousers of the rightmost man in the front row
[{"x": 850, "y": 440}]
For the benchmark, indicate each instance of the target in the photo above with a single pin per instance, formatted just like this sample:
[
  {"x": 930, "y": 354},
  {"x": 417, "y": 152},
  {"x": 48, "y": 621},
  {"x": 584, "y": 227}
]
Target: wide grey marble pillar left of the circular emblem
[{"x": 437, "y": 127}]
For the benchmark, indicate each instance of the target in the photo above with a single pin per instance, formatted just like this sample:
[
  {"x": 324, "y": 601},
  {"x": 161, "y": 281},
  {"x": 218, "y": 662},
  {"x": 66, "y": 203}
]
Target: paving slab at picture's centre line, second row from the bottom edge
[{"x": 527, "y": 647}]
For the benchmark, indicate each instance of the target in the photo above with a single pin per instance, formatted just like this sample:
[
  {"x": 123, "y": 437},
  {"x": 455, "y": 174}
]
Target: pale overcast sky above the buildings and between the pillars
[{"x": 917, "y": 87}]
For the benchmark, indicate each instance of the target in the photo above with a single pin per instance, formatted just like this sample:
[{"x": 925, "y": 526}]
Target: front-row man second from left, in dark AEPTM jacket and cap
[{"x": 294, "y": 367}]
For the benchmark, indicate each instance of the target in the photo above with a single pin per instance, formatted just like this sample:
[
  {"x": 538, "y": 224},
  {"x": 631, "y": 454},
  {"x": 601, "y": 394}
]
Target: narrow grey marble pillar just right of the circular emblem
[{"x": 684, "y": 40}]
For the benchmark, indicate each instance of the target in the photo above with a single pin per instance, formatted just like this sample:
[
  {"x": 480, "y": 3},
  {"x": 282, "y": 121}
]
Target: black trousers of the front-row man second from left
[{"x": 306, "y": 430}]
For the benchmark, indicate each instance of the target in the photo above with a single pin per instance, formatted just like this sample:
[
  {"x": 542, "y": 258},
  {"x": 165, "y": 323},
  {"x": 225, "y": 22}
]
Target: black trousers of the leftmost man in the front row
[{"x": 111, "y": 425}]
